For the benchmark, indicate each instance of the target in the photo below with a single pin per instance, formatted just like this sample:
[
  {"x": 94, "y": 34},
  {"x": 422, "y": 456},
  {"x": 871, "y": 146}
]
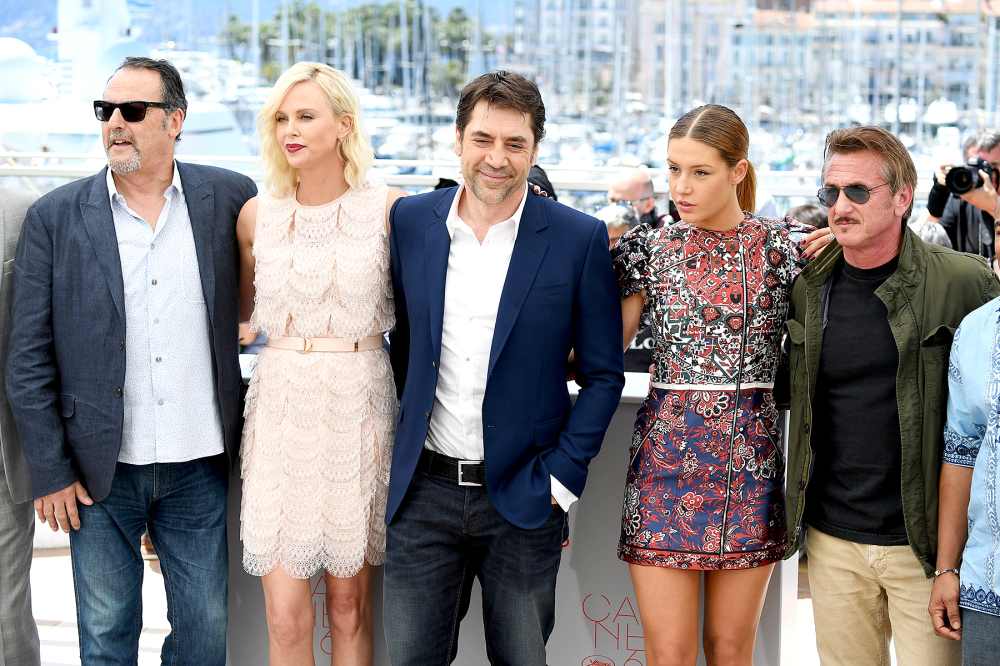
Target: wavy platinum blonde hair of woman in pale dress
[{"x": 355, "y": 149}]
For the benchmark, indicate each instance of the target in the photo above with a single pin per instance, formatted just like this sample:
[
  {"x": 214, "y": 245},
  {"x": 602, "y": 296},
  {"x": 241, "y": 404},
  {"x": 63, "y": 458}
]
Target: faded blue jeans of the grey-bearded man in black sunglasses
[{"x": 183, "y": 506}]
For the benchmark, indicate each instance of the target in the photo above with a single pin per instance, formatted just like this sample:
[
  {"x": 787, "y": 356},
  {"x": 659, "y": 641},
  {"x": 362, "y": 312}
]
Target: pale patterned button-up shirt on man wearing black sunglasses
[{"x": 171, "y": 412}]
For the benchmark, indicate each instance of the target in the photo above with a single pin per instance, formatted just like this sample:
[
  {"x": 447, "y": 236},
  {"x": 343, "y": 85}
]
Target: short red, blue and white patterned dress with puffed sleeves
[{"x": 704, "y": 488}]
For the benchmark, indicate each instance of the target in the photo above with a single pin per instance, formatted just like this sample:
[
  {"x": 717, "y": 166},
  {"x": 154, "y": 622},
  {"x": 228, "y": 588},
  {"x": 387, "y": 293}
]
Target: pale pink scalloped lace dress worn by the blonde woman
[{"x": 319, "y": 426}]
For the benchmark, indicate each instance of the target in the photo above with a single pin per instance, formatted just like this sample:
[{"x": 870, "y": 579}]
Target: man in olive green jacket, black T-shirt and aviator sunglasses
[{"x": 870, "y": 327}]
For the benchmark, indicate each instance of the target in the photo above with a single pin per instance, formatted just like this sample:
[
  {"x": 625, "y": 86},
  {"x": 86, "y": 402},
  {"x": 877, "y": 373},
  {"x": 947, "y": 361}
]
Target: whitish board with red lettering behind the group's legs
[{"x": 597, "y": 618}]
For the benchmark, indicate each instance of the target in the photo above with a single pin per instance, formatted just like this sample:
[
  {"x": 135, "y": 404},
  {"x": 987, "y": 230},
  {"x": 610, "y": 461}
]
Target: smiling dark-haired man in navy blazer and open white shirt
[{"x": 493, "y": 290}]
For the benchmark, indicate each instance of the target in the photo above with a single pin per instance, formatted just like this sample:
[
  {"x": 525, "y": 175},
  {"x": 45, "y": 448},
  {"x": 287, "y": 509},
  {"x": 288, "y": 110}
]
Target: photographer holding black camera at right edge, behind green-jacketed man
[{"x": 965, "y": 198}]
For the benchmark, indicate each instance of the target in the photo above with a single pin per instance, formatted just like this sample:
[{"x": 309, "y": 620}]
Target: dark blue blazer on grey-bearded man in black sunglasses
[{"x": 66, "y": 360}]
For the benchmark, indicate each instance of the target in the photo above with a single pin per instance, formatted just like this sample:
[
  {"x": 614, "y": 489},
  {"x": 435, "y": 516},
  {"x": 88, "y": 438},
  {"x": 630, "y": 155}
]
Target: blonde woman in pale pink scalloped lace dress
[{"x": 321, "y": 406}]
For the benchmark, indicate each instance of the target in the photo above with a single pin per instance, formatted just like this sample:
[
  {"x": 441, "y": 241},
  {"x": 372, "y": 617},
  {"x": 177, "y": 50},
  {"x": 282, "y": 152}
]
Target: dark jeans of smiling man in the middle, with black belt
[{"x": 441, "y": 539}]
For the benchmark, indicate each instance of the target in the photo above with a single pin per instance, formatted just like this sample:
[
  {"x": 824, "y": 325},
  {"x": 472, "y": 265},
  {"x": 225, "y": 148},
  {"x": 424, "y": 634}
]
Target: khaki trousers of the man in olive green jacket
[{"x": 863, "y": 596}]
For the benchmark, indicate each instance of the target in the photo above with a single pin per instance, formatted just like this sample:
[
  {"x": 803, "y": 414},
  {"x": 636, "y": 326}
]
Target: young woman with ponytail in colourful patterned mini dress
[{"x": 704, "y": 484}]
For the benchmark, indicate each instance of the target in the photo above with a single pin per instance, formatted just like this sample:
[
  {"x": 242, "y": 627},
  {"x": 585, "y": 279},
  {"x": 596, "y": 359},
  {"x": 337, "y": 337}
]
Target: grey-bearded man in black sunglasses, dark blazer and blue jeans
[{"x": 123, "y": 371}]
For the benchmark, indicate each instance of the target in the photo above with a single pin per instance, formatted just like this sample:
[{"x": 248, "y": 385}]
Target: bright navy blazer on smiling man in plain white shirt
[{"x": 560, "y": 295}]
